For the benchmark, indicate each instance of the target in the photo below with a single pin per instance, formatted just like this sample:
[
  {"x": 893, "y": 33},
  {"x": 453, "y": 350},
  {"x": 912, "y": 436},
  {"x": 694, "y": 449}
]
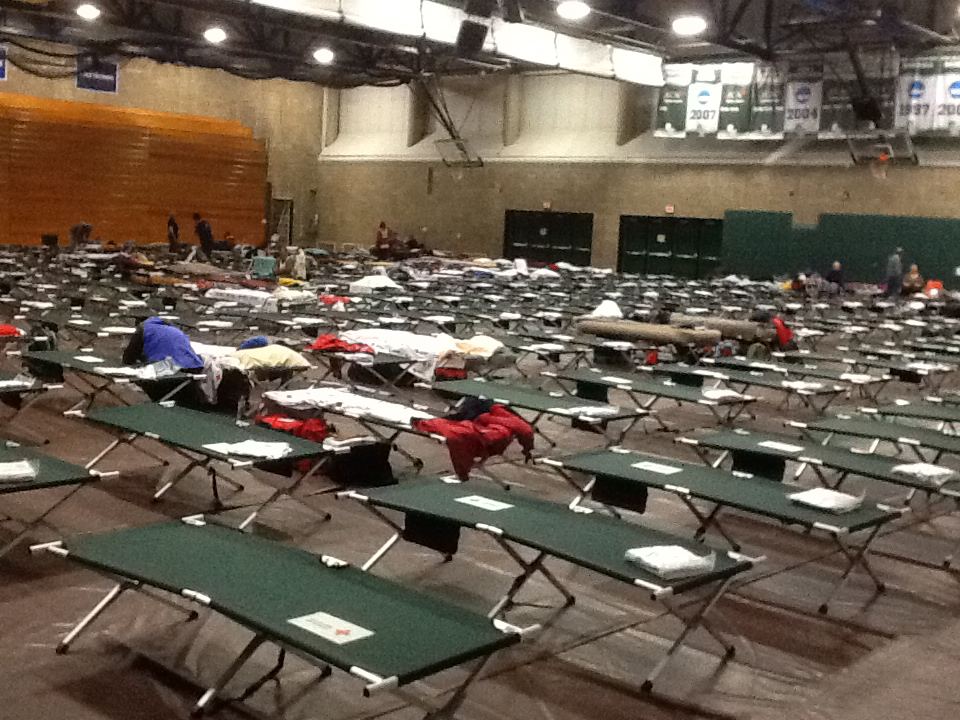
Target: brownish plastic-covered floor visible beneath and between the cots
[{"x": 894, "y": 656}]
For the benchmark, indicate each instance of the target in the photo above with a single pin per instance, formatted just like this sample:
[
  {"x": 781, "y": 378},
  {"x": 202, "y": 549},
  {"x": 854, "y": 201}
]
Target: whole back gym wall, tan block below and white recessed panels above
[{"x": 584, "y": 145}]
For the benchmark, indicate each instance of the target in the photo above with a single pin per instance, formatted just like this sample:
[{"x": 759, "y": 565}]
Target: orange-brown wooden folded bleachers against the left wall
[{"x": 124, "y": 171}]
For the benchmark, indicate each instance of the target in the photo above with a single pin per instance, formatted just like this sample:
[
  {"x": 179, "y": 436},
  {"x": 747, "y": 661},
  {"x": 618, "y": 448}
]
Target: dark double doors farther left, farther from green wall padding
[{"x": 548, "y": 237}]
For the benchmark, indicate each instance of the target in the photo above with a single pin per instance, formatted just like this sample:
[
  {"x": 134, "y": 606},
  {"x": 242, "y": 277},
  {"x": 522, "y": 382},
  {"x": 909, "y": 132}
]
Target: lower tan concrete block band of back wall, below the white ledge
[{"x": 463, "y": 210}]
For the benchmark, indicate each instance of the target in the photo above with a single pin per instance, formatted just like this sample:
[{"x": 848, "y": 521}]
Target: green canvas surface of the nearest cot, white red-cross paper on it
[{"x": 345, "y": 617}]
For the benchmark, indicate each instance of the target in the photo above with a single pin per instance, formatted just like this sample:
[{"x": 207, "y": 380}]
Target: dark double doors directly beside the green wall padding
[{"x": 680, "y": 246}]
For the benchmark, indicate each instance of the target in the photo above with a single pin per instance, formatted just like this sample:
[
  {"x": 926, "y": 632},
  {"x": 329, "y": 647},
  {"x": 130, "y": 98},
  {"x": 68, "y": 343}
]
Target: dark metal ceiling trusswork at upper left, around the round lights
[{"x": 262, "y": 42}]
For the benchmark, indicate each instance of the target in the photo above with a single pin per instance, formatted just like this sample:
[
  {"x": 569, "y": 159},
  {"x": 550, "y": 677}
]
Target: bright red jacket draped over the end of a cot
[{"x": 472, "y": 441}]
